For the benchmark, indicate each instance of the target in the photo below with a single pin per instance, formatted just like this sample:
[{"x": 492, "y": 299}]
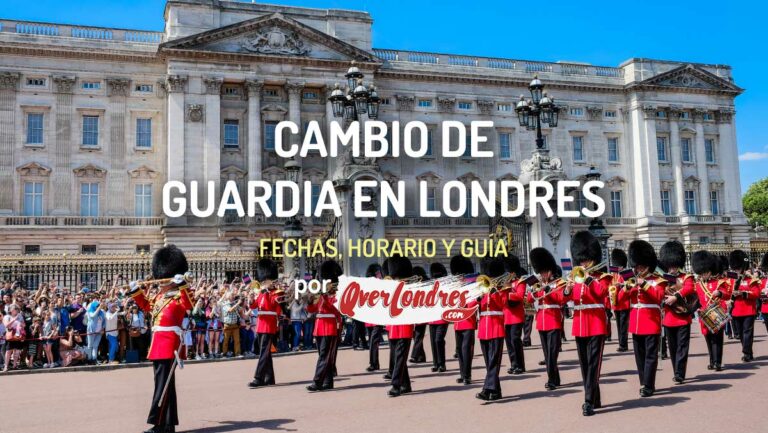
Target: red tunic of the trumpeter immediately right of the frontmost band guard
[{"x": 645, "y": 315}]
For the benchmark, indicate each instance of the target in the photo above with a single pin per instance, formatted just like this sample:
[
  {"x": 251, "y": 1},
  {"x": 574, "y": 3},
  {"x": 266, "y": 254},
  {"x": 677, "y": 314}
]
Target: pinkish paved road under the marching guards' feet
[{"x": 213, "y": 398}]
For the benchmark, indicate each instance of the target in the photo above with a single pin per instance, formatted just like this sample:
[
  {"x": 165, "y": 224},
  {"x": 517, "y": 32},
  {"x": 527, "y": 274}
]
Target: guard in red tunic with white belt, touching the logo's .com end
[{"x": 491, "y": 330}]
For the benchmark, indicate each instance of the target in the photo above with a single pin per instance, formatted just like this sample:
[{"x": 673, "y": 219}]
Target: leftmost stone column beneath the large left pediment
[{"x": 175, "y": 85}]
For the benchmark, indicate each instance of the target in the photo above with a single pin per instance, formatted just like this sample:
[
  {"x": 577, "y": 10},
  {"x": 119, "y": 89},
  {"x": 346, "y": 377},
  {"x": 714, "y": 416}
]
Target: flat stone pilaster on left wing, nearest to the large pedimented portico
[{"x": 116, "y": 177}]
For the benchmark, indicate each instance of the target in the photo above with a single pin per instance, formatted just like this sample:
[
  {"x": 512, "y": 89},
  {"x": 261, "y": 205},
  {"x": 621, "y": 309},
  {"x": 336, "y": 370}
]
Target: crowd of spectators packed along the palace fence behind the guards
[{"x": 53, "y": 326}]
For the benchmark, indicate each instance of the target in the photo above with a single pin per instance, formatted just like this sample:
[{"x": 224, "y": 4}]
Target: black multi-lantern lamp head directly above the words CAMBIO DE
[{"x": 356, "y": 99}]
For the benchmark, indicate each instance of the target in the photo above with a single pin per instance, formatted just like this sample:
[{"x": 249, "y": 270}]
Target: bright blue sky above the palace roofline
[{"x": 726, "y": 32}]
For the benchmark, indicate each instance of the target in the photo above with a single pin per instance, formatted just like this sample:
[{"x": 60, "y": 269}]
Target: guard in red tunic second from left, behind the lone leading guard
[{"x": 268, "y": 312}]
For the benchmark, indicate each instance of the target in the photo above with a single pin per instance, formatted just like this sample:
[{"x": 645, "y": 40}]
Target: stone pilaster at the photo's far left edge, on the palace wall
[{"x": 9, "y": 84}]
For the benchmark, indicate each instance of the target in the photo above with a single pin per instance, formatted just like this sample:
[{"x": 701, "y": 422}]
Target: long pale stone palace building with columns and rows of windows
[{"x": 94, "y": 121}]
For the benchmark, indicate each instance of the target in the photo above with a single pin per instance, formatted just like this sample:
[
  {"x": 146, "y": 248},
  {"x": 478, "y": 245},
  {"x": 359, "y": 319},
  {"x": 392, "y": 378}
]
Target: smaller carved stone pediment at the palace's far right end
[{"x": 693, "y": 78}]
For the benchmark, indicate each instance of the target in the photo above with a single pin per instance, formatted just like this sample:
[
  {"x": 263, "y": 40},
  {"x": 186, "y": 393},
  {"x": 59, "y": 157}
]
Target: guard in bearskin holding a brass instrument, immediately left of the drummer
[{"x": 677, "y": 317}]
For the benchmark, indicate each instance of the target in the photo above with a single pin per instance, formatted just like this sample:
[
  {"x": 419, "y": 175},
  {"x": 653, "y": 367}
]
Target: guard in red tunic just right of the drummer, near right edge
[{"x": 744, "y": 294}]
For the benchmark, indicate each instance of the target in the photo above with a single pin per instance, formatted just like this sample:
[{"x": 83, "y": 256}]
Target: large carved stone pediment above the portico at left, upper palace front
[{"x": 269, "y": 35}]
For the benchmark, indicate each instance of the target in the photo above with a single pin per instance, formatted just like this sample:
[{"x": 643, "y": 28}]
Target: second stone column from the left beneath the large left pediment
[{"x": 212, "y": 138}]
